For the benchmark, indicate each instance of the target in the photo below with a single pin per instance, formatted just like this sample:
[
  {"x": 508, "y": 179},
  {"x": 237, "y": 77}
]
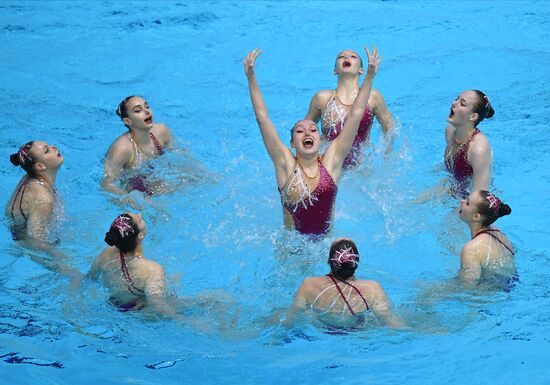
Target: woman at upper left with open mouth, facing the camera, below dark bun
[{"x": 144, "y": 140}]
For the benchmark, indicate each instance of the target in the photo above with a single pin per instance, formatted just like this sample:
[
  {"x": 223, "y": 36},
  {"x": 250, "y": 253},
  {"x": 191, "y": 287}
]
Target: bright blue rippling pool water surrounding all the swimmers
[{"x": 66, "y": 65}]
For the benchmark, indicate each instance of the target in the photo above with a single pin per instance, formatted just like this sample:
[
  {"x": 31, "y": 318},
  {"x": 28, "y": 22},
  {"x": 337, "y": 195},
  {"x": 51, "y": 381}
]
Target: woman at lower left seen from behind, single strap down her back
[{"x": 134, "y": 281}]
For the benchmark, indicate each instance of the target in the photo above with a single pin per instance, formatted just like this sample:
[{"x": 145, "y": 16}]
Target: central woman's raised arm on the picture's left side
[{"x": 279, "y": 153}]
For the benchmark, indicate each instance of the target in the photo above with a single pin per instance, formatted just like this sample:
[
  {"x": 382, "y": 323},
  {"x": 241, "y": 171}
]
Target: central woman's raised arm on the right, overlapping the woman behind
[{"x": 339, "y": 148}]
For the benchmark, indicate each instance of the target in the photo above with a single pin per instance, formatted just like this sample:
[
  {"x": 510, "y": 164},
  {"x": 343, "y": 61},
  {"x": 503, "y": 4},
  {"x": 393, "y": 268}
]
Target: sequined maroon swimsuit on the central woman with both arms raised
[{"x": 312, "y": 211}]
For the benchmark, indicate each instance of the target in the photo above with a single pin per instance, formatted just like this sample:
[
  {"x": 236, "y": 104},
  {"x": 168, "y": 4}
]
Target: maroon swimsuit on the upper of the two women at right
[{"x": 458, "y": 164}]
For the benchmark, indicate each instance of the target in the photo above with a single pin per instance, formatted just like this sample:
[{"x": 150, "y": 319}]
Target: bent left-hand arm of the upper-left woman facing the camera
[{"x": 118, "y": 156}]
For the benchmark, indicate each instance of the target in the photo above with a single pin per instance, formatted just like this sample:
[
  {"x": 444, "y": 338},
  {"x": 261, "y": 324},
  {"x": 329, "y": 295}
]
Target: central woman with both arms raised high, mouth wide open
[{"x": 307, "y": 182}]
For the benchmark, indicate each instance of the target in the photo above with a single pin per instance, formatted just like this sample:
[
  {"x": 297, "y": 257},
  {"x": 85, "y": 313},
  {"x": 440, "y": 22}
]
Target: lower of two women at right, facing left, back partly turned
[{"x": 489, "y": 255}]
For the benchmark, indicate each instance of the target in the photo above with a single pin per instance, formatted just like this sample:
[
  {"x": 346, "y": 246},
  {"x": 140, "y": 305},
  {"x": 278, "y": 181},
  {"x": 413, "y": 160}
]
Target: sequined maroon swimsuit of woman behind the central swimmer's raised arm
[{"x": 333, "y": 118}]
